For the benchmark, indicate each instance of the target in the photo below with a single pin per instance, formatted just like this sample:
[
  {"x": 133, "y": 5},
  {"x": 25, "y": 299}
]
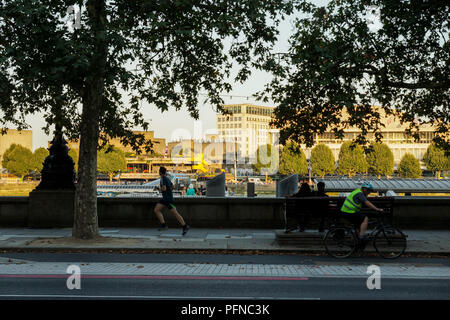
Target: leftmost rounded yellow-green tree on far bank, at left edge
[{"x": 18, "y": 160}]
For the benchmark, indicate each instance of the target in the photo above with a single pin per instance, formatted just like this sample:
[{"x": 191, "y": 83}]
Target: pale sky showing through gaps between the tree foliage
[{"x": 172, "y": 125}]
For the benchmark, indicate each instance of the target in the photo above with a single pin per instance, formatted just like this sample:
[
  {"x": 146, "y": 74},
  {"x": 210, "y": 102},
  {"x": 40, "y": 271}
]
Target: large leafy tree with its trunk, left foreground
[{"x": 95, "y": 77}]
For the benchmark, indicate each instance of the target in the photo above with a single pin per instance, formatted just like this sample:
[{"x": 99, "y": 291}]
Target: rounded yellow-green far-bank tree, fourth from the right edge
[{"x": 351, "y": 159}]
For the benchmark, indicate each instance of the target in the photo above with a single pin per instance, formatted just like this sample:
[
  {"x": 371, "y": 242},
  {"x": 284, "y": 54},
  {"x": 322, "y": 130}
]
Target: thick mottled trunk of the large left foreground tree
[{"x": 85, "y": 219}]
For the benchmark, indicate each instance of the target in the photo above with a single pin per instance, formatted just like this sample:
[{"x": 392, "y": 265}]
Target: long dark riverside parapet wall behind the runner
[{"x": 229, "y": 212}]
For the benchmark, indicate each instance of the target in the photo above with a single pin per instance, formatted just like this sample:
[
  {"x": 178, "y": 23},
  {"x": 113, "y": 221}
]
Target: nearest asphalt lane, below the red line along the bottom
[{"x": 310, "y": 289}]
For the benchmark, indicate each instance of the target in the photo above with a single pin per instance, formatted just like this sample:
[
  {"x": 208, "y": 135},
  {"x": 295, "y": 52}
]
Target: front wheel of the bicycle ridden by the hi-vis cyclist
[{"x": 390, "y": 243}]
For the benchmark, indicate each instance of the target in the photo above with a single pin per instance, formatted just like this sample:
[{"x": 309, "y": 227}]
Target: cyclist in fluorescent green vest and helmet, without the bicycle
[{"x": 352, "y": 207}]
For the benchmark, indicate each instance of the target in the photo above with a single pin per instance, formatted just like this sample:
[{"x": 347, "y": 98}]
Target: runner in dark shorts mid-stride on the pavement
[{"x": 167, "y": 201}]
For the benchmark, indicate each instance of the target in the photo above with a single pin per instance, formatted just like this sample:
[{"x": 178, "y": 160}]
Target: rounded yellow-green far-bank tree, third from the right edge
[{"x": 380, "y": 160}]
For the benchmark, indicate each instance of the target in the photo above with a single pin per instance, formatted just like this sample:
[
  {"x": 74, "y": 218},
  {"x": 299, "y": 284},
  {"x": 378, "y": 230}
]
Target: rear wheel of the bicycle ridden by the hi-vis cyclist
[{"x": 340, "y": 242}]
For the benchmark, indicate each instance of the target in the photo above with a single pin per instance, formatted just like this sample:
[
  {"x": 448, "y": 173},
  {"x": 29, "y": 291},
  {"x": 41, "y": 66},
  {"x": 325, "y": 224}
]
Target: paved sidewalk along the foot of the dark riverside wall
[{"x": 419, "y": 241}]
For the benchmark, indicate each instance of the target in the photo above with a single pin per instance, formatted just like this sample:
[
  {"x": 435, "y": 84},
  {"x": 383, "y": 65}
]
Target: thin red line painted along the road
[{"x": 57, "y": 276}]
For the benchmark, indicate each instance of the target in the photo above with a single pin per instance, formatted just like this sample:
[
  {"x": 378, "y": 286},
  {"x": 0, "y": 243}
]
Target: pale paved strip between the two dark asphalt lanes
[{"x": 11, "y": 268}]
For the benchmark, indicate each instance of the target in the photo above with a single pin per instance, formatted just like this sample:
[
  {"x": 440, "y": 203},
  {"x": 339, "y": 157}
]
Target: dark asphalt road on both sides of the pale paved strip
[{"x": 130, "y": 286}]
